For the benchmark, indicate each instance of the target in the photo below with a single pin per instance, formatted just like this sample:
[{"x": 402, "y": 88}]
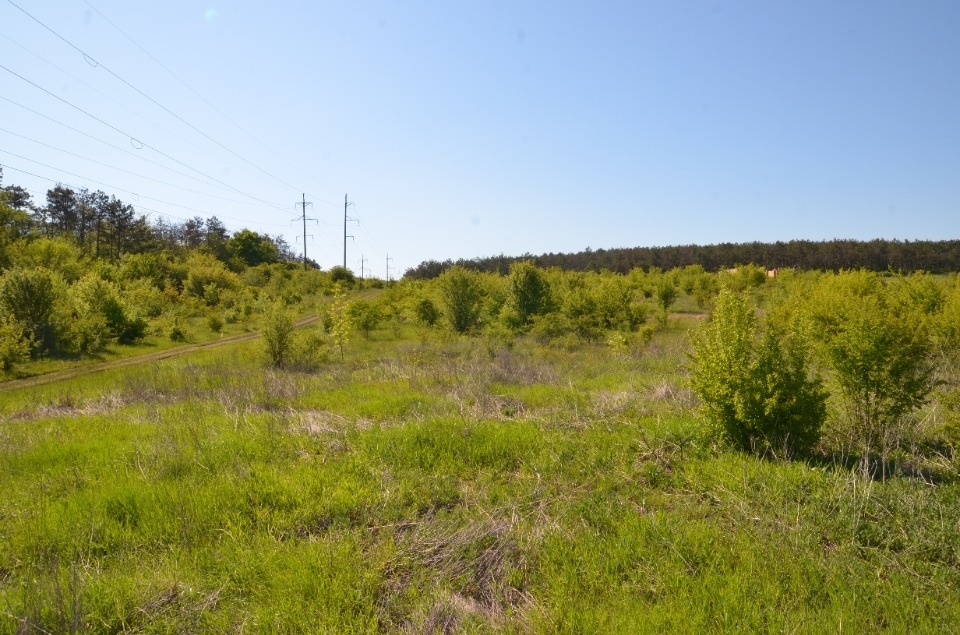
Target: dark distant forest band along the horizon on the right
[{"x": 875, "y": 255}]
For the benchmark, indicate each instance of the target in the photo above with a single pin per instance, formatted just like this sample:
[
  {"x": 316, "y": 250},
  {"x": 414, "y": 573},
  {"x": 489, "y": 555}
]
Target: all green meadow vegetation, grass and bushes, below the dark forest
[{"x": 536, "y": 451}]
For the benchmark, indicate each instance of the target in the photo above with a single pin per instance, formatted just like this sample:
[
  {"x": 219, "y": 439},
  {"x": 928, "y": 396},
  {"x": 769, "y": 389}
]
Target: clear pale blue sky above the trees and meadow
[{"x": 474, "y": 128}]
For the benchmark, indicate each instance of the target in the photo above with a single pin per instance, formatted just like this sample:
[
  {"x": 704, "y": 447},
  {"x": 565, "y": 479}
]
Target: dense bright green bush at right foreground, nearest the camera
[{"x": 754, "y": 382}]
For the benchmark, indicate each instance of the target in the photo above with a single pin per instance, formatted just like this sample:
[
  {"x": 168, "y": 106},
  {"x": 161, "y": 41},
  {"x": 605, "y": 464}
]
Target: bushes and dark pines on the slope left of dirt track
[{"x": 83, "y": 271}]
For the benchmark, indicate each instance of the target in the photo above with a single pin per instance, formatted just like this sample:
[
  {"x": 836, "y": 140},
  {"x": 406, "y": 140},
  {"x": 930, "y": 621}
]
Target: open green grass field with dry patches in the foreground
[{"x": 430, "y": 483}]
